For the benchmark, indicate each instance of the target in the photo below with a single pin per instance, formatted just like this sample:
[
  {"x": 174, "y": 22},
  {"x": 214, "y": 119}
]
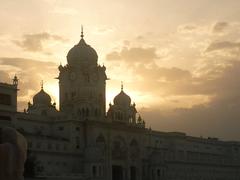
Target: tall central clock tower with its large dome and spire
[{"x": 82, "y": 83}]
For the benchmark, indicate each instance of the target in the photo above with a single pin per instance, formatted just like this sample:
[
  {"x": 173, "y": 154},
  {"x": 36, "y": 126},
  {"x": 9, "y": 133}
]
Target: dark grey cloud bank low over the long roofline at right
[{"x": 215, "y": 119}]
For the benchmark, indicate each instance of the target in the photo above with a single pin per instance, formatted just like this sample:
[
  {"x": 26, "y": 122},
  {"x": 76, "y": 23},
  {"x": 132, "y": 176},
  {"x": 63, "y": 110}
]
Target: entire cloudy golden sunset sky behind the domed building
[{"x": 178, "y": 59}]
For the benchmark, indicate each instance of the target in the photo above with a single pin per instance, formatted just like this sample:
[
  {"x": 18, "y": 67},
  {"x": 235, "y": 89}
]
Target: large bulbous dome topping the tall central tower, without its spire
[{"x": 82, "y": 53}]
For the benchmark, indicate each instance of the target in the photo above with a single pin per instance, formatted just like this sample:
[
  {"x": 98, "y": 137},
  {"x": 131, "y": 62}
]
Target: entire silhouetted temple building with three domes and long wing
[{"x": 83, "y": 140}]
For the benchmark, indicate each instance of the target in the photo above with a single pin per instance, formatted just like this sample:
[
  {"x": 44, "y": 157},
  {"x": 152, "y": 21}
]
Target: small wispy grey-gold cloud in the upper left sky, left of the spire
[{"x": 34, "y": 42}]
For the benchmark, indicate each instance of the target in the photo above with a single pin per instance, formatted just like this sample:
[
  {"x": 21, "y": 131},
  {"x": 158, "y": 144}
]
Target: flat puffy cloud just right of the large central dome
[{"x": 134, "y": 55}]
